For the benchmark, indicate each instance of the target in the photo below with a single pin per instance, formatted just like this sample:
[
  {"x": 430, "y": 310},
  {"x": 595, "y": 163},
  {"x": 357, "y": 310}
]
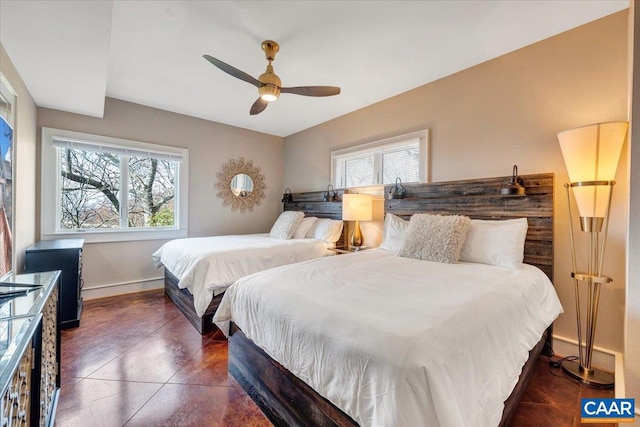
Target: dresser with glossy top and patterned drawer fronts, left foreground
[{"x": 29, "y": 350}]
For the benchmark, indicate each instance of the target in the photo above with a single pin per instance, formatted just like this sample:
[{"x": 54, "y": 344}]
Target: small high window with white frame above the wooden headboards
[{"x": 381, "y": 162}]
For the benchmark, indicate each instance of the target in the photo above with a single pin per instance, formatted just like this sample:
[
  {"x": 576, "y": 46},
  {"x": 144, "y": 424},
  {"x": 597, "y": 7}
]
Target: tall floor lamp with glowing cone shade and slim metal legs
[{"x": 591, "y": 155}]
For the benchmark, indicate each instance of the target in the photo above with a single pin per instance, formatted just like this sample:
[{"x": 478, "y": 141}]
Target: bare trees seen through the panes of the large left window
[{"x": 91, "y": 190}]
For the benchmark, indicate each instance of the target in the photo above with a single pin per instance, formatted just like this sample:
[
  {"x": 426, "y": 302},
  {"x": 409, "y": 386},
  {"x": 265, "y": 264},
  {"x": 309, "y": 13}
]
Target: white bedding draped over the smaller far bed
[{"x": 206, "y": 266}]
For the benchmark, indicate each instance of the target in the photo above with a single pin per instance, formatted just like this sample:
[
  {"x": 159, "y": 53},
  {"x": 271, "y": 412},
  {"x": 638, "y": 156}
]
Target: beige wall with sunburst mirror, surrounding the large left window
[{"x": 210, "y": 146}]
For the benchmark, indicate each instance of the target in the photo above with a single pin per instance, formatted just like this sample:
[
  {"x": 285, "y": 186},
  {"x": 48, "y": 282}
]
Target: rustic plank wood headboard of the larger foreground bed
[{"x": 481, "y": 199}]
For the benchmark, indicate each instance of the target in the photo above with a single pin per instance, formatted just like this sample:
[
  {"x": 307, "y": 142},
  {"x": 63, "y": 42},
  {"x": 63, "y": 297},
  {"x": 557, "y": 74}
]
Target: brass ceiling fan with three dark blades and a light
[{"x": 269, "y": 84}]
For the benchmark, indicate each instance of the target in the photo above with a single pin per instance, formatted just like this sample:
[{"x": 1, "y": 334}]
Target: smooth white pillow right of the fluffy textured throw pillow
[{"x": 498, "y": 243}]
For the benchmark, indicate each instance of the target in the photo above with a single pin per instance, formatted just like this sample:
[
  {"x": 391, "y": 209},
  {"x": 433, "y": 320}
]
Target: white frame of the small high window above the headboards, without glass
[{"x": 378, "y": 148}]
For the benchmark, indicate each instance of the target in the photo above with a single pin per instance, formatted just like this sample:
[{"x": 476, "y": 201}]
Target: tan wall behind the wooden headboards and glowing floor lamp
[{"x": 503, "y": 112}]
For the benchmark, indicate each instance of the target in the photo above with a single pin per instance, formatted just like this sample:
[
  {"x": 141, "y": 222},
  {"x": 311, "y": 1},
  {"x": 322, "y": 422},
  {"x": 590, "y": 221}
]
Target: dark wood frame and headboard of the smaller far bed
[{"x": 311, "y": 203}]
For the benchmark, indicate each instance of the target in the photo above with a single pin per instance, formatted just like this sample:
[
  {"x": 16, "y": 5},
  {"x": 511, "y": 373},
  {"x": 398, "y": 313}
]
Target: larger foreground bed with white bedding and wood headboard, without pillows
[{"x": 377, "y": 339}]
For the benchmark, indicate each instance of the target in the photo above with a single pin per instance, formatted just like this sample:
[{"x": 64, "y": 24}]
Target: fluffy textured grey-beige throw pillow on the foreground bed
[{"x": 436, "y": 238}]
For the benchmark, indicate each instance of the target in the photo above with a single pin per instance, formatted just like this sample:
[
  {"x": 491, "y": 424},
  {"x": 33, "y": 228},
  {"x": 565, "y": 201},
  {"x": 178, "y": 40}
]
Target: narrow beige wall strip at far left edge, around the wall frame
[{"x": 25, "y": 162}]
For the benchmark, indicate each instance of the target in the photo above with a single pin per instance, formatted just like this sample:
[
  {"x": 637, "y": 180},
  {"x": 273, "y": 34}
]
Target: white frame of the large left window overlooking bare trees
[{"x": 51, "y": 179}]
